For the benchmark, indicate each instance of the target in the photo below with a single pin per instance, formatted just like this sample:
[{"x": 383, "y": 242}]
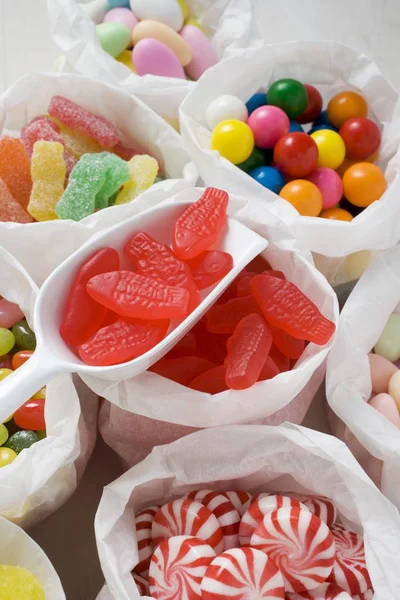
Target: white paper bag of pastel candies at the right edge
[{"x": 364, "y": 316}]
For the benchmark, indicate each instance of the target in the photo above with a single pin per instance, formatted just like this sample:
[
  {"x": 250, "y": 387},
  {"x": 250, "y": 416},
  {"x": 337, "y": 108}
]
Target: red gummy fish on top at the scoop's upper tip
[{"x": 200, "y": 225}]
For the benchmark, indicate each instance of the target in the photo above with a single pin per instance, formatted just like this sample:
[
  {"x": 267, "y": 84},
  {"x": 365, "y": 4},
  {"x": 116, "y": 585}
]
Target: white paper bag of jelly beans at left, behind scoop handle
[{"x": 44, "y": 476}]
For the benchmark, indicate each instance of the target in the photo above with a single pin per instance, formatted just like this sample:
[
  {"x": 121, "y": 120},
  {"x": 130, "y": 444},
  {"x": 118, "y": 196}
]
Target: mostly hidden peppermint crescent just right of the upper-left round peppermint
[{"x": 227, "y": 515}]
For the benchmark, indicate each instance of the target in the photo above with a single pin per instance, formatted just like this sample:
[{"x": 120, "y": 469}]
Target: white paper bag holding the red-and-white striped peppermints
[{"x": 251, "y": 458}]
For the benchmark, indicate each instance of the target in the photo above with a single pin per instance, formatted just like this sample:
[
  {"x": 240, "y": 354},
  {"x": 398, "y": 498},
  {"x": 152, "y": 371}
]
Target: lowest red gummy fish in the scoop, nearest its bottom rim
[{"x": 122, "y": 341}]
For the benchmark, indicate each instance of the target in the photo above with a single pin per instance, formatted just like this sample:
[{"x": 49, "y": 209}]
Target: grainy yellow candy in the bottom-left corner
[{"x": 17, "y": 583}]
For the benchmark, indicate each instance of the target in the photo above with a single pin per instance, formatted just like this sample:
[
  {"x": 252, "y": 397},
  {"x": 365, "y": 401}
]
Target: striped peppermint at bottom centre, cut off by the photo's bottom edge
[{"x": 243, "y": 574}]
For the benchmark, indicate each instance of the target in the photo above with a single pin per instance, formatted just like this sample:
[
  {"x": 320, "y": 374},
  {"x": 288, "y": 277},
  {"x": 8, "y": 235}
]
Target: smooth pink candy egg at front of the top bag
[{"x": 152, "y": 57}]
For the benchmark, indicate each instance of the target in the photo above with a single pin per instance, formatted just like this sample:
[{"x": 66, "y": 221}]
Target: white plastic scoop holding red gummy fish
[{"x": 52, "y": 356}]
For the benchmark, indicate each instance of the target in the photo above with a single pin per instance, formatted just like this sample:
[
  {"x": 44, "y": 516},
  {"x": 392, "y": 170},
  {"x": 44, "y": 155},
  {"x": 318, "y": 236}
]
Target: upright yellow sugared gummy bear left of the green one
[{"x": 48, "y": 172}]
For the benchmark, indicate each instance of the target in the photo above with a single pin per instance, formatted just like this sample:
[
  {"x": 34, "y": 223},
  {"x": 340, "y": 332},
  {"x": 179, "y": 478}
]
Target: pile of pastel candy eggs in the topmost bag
[{"x": 166, "y": 39}]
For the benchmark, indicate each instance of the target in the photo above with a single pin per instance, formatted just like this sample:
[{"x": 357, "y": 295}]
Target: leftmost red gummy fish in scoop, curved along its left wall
[{"x": 82, "y": 315}]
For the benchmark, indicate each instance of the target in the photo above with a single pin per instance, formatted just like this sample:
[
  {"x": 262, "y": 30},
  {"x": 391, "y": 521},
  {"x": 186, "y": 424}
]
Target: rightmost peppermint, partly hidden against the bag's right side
[{"x": 350, "y": 570}]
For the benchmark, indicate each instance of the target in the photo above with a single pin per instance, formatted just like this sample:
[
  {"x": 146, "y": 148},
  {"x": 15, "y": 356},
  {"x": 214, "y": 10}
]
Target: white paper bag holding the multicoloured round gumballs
[{"x": 332, "y": 68}]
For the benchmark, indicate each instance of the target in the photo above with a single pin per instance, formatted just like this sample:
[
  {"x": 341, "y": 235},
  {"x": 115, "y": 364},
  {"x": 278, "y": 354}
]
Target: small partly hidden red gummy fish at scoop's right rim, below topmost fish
[{"x": 211, "y": 266}]
